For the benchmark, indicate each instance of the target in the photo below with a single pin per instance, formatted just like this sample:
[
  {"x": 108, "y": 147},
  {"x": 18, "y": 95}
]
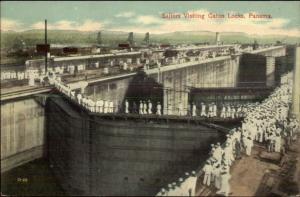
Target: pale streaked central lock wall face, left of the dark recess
[{"x": 176, "y": 83}]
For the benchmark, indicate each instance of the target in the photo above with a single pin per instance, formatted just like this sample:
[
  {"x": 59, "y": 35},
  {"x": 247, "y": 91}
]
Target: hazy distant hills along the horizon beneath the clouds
[{"x": 72, "y": 37}]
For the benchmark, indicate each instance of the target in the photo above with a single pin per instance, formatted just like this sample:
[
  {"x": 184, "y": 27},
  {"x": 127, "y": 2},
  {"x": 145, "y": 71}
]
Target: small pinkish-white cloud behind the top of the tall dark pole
[{"x": 88, "y": 25}]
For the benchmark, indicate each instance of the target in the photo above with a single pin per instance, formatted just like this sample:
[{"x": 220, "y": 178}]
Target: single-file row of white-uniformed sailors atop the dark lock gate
[{"x": 147, "y": 107}]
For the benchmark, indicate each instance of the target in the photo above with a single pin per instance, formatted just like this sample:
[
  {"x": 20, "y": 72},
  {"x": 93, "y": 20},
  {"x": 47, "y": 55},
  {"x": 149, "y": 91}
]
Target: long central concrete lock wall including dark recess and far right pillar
[{"x": 246, "y": 70}]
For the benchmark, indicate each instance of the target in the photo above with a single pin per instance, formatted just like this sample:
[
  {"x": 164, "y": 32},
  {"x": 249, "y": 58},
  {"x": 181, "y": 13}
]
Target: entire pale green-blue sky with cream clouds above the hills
[{"x": 138, "y": 16}]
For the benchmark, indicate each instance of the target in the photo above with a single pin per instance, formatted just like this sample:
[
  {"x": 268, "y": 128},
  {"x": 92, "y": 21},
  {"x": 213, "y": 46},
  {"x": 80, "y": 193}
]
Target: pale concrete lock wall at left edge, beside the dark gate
[{"x": 22, "y": 132}]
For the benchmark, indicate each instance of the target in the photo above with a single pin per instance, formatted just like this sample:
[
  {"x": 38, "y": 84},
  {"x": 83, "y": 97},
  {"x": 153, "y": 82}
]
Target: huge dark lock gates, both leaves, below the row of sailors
[{"x": 99, "y": 156}]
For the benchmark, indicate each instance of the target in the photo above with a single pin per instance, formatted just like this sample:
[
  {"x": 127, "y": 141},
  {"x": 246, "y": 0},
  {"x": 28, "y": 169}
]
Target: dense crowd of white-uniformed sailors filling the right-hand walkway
[{"x": 267, "y": 123}]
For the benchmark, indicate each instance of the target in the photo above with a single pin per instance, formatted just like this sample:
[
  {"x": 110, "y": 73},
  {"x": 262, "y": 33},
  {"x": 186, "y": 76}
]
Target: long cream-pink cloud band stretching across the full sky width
[{"x": 145, "y": 23}]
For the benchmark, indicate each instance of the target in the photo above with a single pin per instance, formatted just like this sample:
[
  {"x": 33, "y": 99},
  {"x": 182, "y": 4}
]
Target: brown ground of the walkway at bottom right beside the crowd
[{"x": 257, "y": 176}]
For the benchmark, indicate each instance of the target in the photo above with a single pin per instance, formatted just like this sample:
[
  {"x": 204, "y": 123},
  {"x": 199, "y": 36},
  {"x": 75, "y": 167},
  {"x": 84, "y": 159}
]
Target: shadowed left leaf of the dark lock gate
[{"x": 68, "y": 146}]
